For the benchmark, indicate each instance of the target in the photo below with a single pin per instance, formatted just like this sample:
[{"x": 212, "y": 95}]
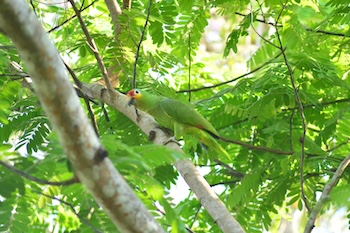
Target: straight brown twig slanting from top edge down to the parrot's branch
[{"x": 93, "y": 47}]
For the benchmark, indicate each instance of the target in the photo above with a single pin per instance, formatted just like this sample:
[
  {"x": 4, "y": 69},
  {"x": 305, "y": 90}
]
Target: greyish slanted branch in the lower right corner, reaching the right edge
[{"x": 325, "y": 194}]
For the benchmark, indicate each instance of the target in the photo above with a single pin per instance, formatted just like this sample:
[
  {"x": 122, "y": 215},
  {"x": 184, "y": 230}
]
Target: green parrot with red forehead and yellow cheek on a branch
[{"x": 178, "y": 117}]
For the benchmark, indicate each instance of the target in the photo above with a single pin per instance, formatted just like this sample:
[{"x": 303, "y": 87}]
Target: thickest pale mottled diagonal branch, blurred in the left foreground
[{"x": 62, "y": 106}]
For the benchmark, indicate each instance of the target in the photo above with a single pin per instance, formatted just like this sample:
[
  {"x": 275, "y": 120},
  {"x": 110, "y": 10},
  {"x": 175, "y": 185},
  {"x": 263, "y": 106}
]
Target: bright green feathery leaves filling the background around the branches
[{"x": 260, "y": 109}]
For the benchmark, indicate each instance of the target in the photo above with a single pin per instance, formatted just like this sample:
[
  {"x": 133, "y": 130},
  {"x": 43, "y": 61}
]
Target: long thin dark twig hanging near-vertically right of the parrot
[{"x": 301, "y": 112}]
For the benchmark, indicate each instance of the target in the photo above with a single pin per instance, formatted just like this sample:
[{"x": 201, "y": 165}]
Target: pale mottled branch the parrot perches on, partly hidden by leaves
[{"x": 210, "y": 201}]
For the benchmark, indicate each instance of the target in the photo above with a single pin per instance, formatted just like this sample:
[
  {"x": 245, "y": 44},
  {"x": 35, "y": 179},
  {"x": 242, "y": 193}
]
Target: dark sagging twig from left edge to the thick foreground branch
[{"x": 73, "y": 180}]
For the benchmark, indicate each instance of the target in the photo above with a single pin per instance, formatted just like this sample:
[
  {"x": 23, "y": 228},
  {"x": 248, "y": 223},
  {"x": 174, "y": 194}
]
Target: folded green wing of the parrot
[{"x": 185, "y": 114}]
